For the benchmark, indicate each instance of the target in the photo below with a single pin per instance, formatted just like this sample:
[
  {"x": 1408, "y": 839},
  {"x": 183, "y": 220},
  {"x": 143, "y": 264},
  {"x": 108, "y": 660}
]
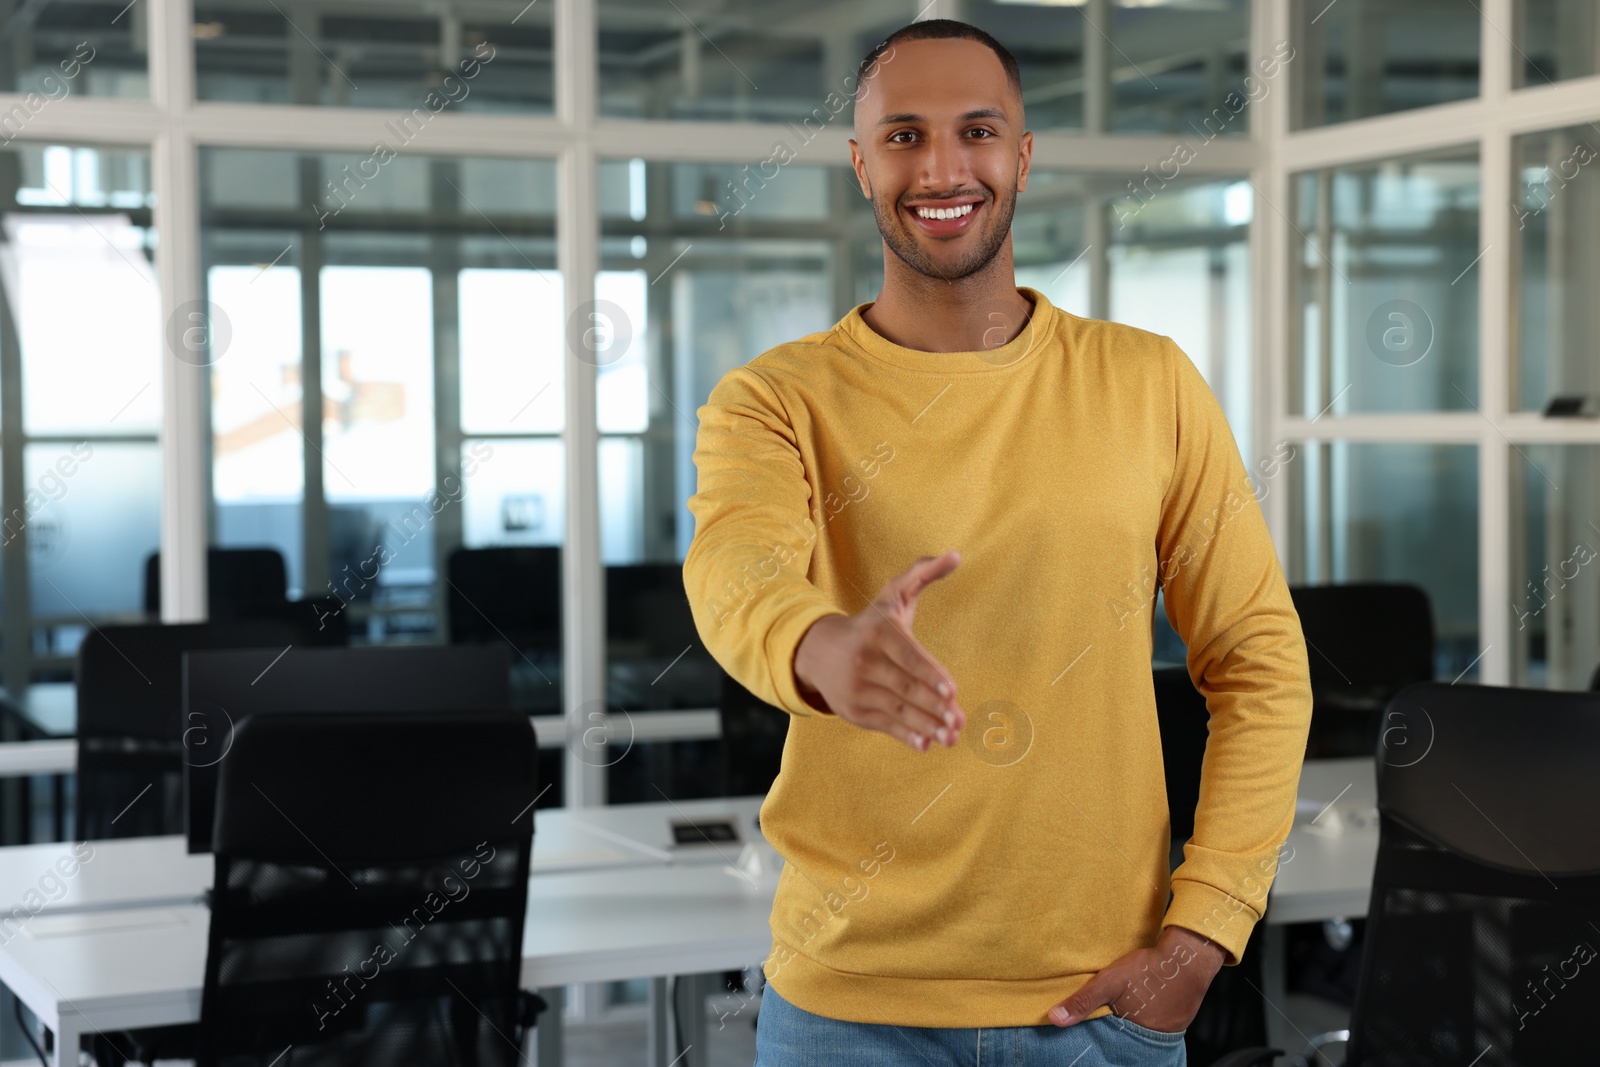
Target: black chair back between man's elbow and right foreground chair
[{"x": 1364, "y": 642}]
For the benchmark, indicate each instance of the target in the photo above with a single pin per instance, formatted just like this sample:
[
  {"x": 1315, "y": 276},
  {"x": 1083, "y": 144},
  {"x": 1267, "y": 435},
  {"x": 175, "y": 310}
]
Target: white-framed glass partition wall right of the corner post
[{"x": 1436, "y": 306}]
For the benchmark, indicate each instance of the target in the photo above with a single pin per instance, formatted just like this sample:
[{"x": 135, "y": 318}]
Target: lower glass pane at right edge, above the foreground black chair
[{"x": 1556, "y": 562}]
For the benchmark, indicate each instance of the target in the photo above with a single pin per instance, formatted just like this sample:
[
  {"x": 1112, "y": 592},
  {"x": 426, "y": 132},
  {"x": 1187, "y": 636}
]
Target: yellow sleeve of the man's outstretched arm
[{"x": 746, "y": 567}]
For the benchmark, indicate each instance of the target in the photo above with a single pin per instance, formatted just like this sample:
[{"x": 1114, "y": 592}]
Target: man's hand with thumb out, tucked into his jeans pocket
[{"x": 1159, "y": 988}]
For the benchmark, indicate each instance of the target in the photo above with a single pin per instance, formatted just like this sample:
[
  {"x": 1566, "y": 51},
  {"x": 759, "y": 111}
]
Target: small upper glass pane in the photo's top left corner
[{"x": 50, "y": 52}]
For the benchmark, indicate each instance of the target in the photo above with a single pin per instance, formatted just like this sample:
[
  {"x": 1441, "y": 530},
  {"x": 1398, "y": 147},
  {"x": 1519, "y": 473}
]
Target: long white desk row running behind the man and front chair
[{"x": 145, "y": 967}]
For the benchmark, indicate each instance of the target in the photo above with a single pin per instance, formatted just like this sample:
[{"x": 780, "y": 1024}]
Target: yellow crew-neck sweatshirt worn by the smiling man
[{"x": 1078, "y": 470}]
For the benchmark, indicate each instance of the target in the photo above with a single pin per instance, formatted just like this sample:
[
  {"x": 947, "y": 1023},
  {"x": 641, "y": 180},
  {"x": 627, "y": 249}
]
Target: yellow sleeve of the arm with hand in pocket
[{"x": 1230, "y": 602}]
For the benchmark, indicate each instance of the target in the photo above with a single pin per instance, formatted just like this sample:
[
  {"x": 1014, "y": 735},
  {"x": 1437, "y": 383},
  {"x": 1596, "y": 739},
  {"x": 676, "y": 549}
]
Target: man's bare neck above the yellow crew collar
[{"x": 978, "y": 313}]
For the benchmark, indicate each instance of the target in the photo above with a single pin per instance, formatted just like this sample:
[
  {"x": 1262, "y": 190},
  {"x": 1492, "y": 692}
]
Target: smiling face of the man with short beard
[{"x": 940, "y": 129}]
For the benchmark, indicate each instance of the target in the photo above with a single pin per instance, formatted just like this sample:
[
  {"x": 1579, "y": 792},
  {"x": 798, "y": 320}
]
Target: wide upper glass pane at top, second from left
[{"x": 410, "y": 57}]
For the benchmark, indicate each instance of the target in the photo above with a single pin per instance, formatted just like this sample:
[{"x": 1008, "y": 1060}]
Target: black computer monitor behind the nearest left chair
[{"x": 222, "y": 689}]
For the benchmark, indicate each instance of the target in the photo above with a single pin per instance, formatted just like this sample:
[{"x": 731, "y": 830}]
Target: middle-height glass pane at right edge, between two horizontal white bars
[{"x": 1558, "y": 252}]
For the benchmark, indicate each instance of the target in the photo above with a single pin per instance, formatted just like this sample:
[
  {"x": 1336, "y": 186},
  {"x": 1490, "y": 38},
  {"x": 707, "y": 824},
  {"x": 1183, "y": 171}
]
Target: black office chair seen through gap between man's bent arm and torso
[{"x": 1233, "y": 1015}]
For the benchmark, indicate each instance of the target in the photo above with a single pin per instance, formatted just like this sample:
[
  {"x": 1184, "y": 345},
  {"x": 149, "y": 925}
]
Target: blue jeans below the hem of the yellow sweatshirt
[{"x": 791, "y": 1037}]
